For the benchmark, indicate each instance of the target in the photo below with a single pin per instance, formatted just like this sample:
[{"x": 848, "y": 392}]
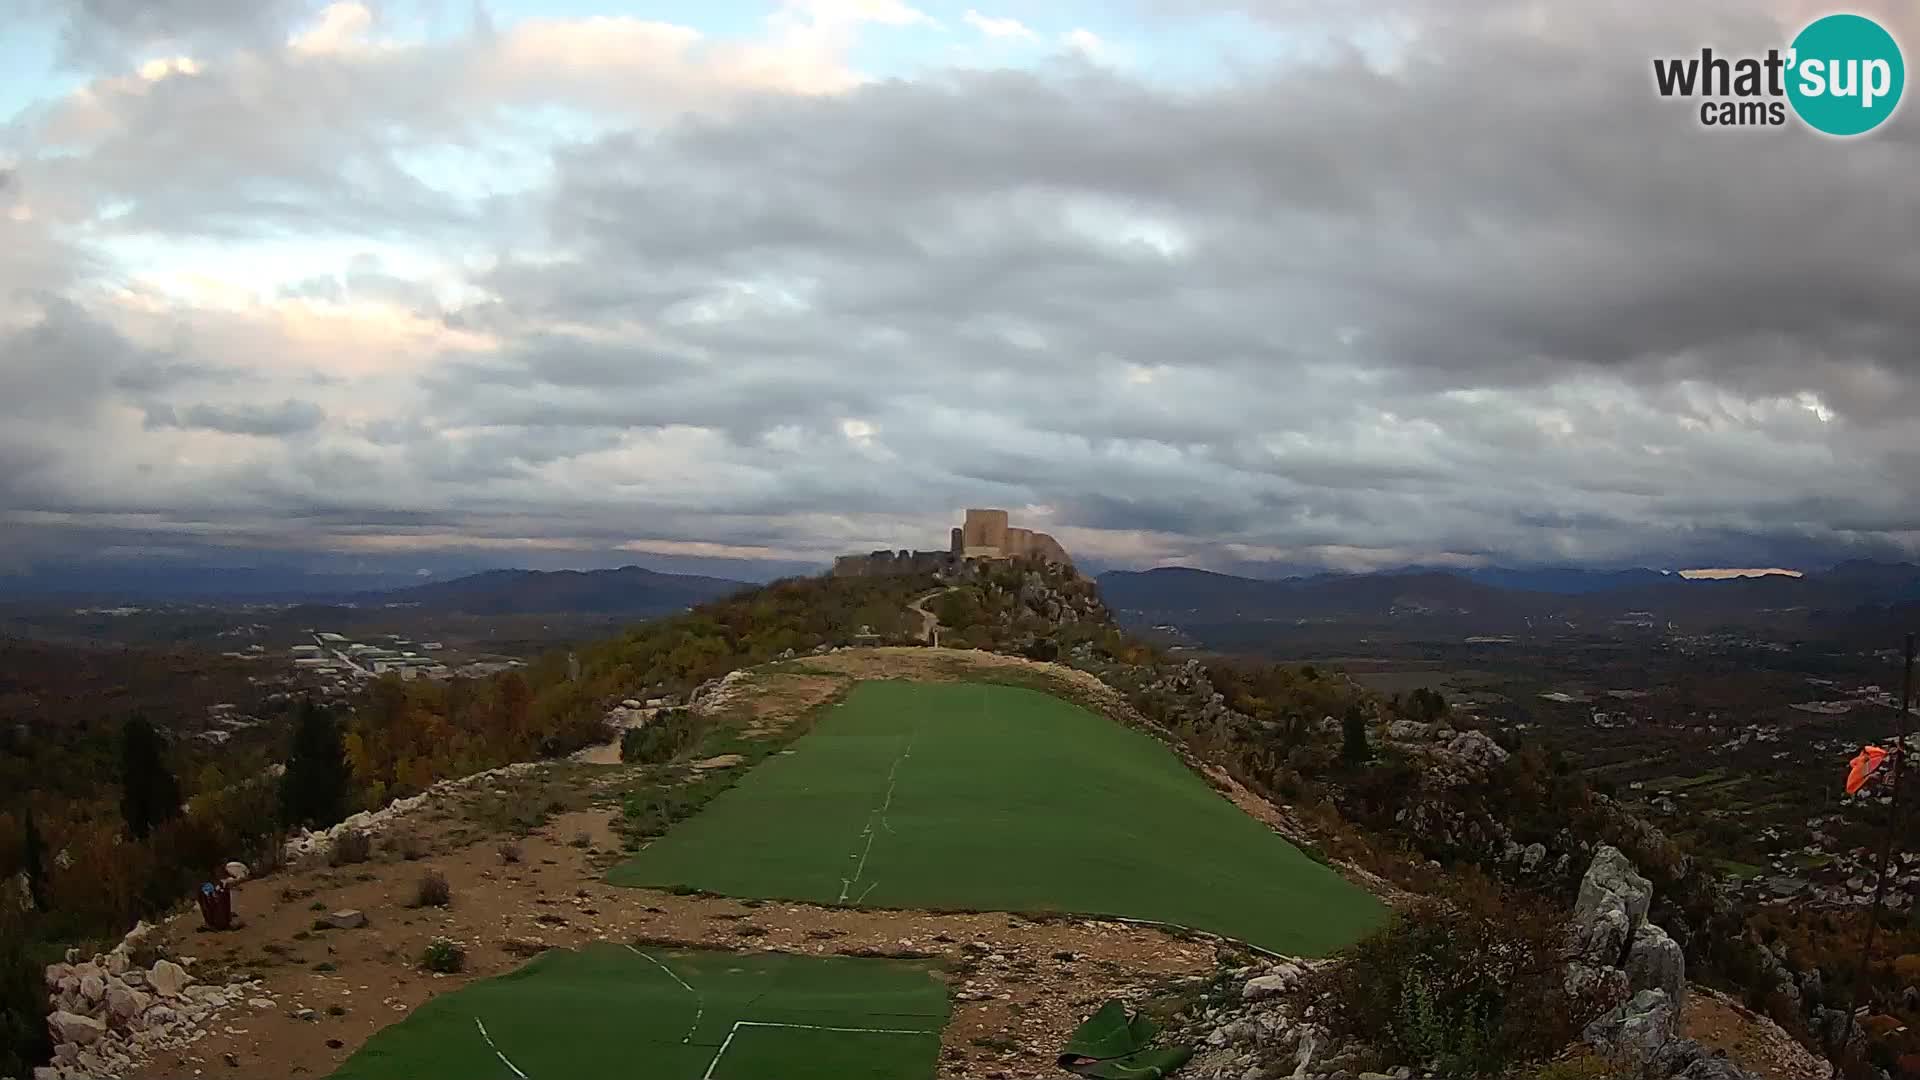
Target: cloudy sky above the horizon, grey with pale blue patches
[{"x": 1253, "y": 285}]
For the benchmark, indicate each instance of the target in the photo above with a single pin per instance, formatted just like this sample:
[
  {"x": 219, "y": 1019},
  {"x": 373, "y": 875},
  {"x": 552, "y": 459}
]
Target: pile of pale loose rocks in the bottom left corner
[{"x": 108, "y": 1014}]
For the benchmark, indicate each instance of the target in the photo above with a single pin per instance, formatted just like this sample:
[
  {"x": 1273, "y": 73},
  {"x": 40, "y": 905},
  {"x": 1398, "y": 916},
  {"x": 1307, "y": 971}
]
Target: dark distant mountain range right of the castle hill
[{"x": 1499, "y": 601}]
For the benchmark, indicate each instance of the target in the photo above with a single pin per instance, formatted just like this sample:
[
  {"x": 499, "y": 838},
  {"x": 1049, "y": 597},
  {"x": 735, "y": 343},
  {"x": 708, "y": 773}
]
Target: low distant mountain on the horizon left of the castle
[{"x": 627, "y": 591}]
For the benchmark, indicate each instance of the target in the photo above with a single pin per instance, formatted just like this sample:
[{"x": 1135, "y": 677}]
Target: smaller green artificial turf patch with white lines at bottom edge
[{"x": 631, "y": 1014}]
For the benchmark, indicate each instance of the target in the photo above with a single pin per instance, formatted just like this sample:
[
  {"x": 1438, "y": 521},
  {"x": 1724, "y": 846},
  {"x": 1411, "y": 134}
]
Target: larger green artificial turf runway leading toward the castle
[{"x": 994, "y": 798}]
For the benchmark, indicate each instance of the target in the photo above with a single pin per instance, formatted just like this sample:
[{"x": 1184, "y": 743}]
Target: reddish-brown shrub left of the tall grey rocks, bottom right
[{"x": 1472, "y": 985}]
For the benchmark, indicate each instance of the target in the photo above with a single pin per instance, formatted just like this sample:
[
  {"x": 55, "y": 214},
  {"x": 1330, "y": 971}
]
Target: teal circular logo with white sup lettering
[{"x": 1846, "y": 76}]
